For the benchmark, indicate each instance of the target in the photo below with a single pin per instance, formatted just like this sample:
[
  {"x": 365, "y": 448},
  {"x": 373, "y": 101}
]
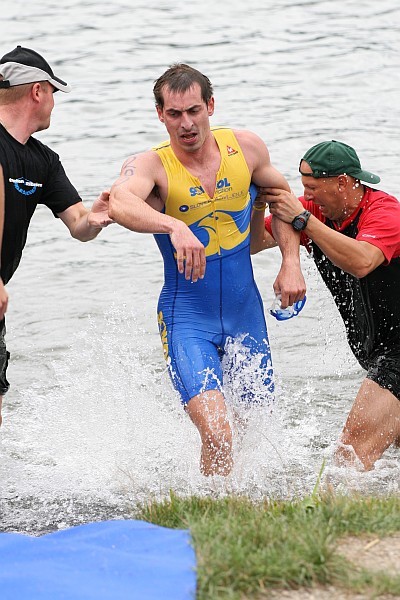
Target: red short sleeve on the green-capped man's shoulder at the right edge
[{"x": 379, "y": 223}]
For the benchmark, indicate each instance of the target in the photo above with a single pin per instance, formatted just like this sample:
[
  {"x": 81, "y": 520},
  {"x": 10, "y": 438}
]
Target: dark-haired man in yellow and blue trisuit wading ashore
[{"x": 192, "y": 192}]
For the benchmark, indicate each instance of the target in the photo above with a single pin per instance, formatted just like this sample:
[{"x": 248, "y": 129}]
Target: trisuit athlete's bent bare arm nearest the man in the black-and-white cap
[{"x": 129, "y": 207}]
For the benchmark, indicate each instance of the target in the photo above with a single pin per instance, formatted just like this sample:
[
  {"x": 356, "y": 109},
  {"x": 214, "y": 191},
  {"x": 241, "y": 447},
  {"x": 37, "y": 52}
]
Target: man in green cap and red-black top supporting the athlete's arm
[{"x": 353, "y": 233}]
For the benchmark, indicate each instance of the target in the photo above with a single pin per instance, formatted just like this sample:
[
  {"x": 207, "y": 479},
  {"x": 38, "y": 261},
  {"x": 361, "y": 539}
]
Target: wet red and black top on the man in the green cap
[{"x": 370, "y": 306}]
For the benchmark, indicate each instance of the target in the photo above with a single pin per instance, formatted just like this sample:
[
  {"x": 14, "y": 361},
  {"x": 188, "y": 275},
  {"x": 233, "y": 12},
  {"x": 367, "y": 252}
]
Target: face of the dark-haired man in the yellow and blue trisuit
[{"x": 186, "y": 117}]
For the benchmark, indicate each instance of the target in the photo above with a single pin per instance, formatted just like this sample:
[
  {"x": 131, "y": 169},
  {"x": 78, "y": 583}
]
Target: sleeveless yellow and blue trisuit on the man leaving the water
[{"x": 196, "y": 320}]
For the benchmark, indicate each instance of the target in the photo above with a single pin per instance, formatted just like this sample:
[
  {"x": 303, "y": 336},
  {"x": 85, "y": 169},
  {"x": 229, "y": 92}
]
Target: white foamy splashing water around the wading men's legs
[{"x": 110, "y": 432}]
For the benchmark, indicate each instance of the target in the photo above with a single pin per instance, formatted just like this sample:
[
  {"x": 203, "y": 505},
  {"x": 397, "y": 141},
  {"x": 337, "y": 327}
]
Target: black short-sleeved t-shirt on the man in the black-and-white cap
[{"x": 33, "y": 174}]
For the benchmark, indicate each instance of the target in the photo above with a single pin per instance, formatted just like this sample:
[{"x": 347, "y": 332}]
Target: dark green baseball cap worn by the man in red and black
[{"x": 329, "y": 159}]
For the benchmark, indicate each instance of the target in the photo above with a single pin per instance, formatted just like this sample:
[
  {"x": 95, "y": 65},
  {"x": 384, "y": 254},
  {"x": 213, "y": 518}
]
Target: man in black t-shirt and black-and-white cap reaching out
[{"x": 30, "y": 172}]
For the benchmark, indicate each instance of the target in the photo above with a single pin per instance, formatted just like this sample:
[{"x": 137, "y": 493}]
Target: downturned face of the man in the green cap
[{"x": 324, "y": 192}]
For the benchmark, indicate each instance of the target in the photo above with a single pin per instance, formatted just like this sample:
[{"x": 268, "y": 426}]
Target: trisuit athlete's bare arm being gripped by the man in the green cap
[{"x": 290, "y": 282}]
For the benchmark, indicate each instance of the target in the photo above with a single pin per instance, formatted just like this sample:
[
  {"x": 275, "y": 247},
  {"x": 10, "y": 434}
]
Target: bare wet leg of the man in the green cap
[{"x": 372, "y": 426}]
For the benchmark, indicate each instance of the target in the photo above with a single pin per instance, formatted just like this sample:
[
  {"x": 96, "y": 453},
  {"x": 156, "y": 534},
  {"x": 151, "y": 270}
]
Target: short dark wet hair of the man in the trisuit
[{"x": 180, "y": 78}]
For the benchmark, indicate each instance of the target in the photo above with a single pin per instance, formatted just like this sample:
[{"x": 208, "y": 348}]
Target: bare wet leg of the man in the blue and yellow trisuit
[{"x": 208, "y": 412}]
